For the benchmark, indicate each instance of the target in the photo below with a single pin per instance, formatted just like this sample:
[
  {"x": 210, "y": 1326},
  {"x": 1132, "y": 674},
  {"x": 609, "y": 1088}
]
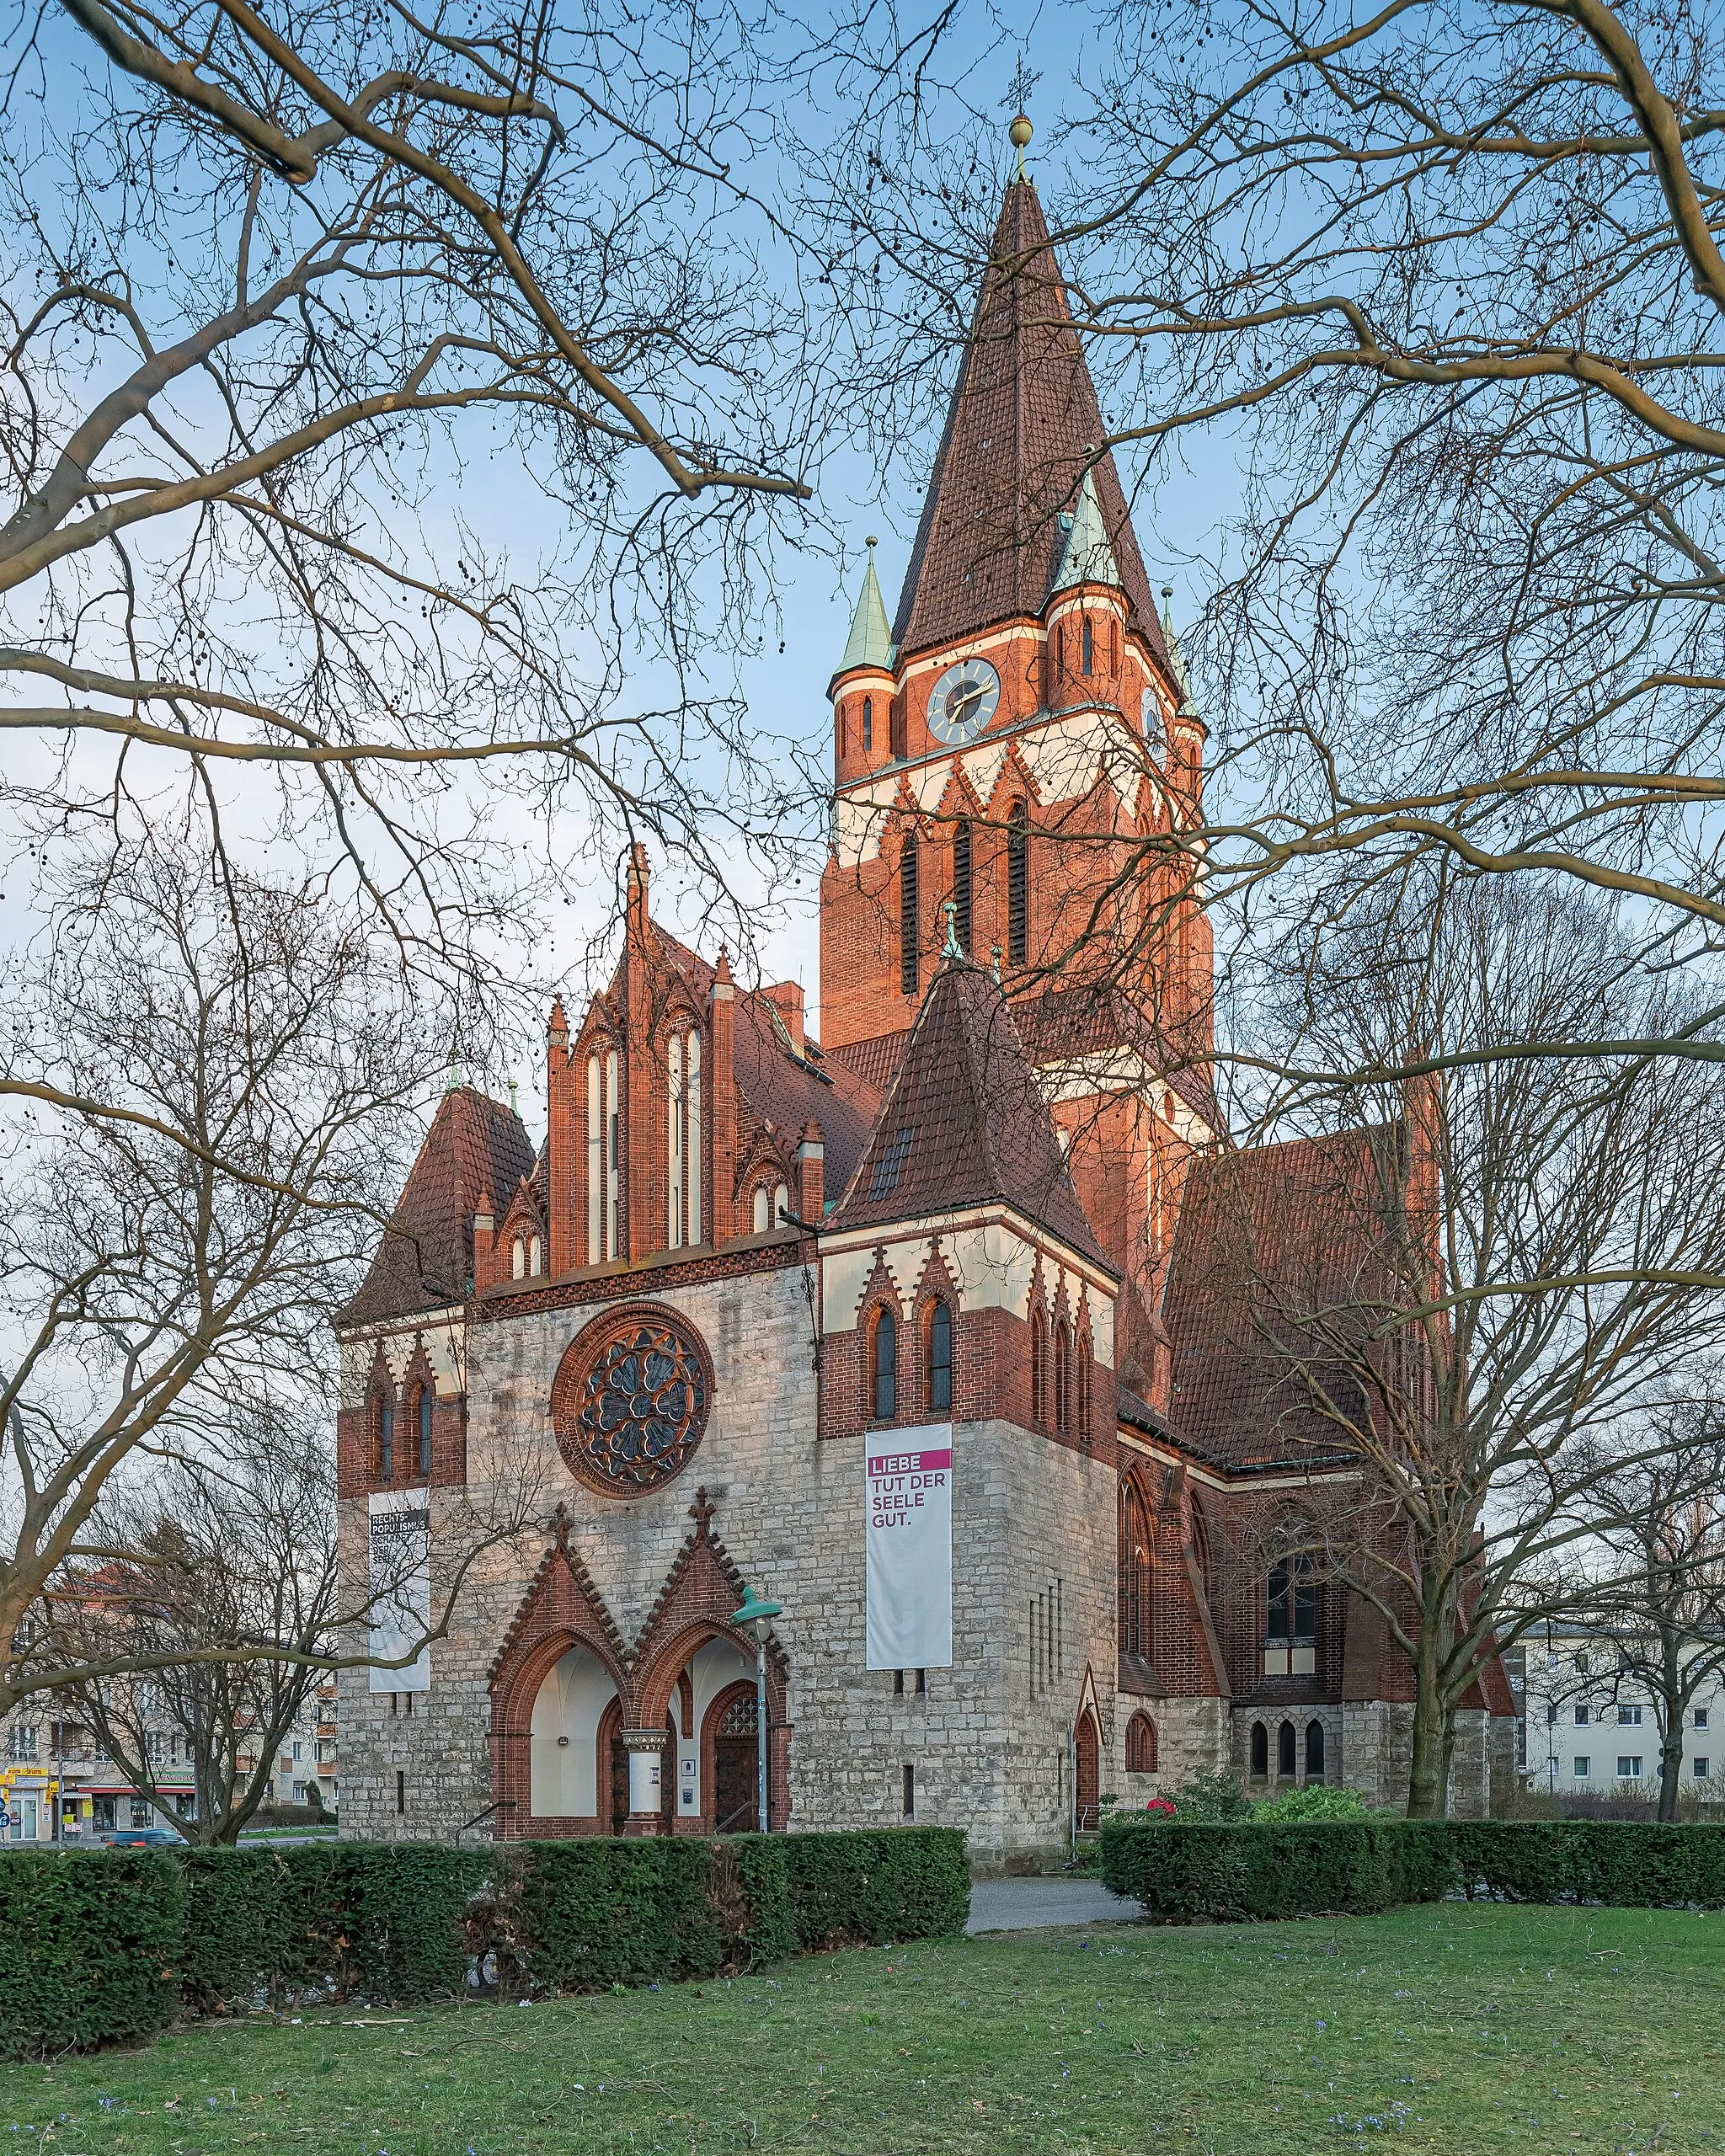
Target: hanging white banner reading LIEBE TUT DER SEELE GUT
[{"x": 909, "y": 1543}]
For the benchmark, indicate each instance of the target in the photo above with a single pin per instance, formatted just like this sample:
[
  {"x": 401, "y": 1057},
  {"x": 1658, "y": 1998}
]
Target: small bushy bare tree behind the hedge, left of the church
[{"x": 227, "y": 1601}]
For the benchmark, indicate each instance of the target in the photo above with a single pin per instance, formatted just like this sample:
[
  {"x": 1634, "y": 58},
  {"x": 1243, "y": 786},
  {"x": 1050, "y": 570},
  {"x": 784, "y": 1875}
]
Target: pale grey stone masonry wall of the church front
[{"x": 1034, "y": 1605}]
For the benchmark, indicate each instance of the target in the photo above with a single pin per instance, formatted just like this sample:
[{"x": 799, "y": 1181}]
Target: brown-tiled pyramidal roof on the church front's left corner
[{"x": 473, "y": 1148}]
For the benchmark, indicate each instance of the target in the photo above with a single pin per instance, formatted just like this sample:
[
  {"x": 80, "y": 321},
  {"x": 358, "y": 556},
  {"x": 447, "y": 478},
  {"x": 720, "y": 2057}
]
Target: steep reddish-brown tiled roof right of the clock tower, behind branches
[{"x": 1273, "y": 1243}]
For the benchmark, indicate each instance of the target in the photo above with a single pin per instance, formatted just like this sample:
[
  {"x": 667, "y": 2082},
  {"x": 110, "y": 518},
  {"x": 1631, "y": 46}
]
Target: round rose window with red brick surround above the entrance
[{"x": 631, "y": 1405}]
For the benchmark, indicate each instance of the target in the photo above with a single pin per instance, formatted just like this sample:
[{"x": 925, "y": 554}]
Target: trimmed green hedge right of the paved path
[{"x": 1247, "y": 1872}]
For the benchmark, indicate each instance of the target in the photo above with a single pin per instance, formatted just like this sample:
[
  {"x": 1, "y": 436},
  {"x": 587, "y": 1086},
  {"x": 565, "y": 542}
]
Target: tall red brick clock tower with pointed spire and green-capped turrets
[{"x": 1021, "y": 747}]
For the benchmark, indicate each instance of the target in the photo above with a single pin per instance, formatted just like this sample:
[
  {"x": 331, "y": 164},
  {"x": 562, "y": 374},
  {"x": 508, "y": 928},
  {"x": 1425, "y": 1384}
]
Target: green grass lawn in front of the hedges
[{"x": 1444, "y": 2028}]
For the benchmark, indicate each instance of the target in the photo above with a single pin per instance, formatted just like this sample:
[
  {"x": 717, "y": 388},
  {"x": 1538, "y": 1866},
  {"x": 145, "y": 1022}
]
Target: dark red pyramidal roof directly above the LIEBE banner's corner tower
[{"x": 965, "y": 1124}]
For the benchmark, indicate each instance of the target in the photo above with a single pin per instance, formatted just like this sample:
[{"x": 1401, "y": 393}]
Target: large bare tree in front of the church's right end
[{"x": 1474, "y": 1301}]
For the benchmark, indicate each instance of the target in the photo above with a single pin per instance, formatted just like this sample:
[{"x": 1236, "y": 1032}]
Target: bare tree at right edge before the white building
[{"x": 1661, "y": 1599}]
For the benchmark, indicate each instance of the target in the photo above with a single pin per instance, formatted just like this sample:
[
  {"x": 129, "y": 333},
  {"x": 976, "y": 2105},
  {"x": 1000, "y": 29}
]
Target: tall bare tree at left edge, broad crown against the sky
[{"x": 169, "y": 1262}]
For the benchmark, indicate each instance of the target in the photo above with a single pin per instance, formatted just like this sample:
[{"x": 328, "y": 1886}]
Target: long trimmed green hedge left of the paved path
[{"x": 109, "y": 1946}]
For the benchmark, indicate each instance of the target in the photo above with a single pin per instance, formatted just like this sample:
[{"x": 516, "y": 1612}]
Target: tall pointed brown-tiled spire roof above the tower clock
[{"x": 1021, "y": 432}]
